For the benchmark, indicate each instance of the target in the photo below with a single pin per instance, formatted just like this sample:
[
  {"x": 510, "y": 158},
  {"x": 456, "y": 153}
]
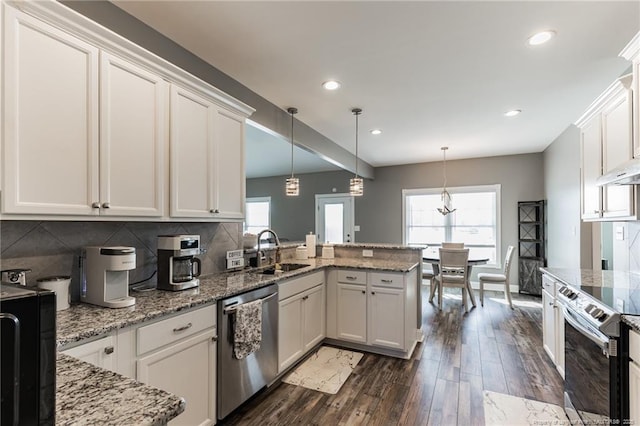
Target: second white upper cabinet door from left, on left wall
[{"x": 132, "y": 139}]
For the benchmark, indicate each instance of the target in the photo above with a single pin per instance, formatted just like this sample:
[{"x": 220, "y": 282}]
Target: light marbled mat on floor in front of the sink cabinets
[{"x": 325, "y": 371}]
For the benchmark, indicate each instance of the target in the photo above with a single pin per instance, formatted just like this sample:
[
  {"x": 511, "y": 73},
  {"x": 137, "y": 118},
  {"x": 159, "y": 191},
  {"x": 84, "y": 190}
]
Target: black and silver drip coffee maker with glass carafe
[{"x": 177, "y": 268}]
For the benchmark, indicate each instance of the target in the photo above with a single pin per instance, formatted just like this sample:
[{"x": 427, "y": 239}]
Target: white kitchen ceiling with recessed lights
[{"x": 427, "y": 73}]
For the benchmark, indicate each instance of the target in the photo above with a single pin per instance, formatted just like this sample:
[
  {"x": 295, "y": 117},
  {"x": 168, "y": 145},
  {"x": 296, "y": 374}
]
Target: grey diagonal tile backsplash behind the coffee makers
[{"x": 53, "y": 248}]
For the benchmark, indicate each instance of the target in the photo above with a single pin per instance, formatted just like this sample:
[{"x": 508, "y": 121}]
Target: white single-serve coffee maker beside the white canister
[{"x": 105, "y": 280}]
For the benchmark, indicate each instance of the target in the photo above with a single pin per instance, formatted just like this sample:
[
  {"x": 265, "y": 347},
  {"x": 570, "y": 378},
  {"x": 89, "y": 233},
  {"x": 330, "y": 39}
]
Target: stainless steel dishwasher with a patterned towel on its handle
[{"x": 239, "y": 379}]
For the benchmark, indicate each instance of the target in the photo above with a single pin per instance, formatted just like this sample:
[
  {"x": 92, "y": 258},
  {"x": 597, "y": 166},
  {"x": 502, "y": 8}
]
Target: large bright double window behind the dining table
[{"x": 476, "y": 221}]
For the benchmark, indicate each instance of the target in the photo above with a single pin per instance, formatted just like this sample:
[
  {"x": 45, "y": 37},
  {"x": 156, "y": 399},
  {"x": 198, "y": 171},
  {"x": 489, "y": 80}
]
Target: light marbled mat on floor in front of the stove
[{"x": 507, "y": 410}]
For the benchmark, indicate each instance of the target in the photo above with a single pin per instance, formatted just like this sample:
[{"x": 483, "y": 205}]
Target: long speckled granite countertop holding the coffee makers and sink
[{"x": 82, "y": 321}]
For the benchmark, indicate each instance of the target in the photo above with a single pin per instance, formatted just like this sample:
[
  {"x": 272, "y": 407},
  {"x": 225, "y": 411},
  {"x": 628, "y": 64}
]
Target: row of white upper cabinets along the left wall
[{"x": 86, "y": 127}]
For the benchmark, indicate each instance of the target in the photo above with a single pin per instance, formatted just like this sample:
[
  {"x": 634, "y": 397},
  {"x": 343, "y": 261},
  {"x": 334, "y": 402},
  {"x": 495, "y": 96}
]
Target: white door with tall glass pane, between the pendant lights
[{"x": 334, "y": 218}]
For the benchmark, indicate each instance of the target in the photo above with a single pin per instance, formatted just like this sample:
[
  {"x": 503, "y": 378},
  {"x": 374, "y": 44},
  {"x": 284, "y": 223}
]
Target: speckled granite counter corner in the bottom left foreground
[{"x": 86, "y": 394}]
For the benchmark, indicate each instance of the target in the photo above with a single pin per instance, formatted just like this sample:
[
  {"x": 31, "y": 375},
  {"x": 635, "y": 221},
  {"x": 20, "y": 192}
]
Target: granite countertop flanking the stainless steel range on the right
[{"x": 588, "y": 277}]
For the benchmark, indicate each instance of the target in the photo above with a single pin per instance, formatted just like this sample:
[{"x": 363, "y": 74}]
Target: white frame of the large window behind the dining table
[{"x": 495, "y": 188}]
